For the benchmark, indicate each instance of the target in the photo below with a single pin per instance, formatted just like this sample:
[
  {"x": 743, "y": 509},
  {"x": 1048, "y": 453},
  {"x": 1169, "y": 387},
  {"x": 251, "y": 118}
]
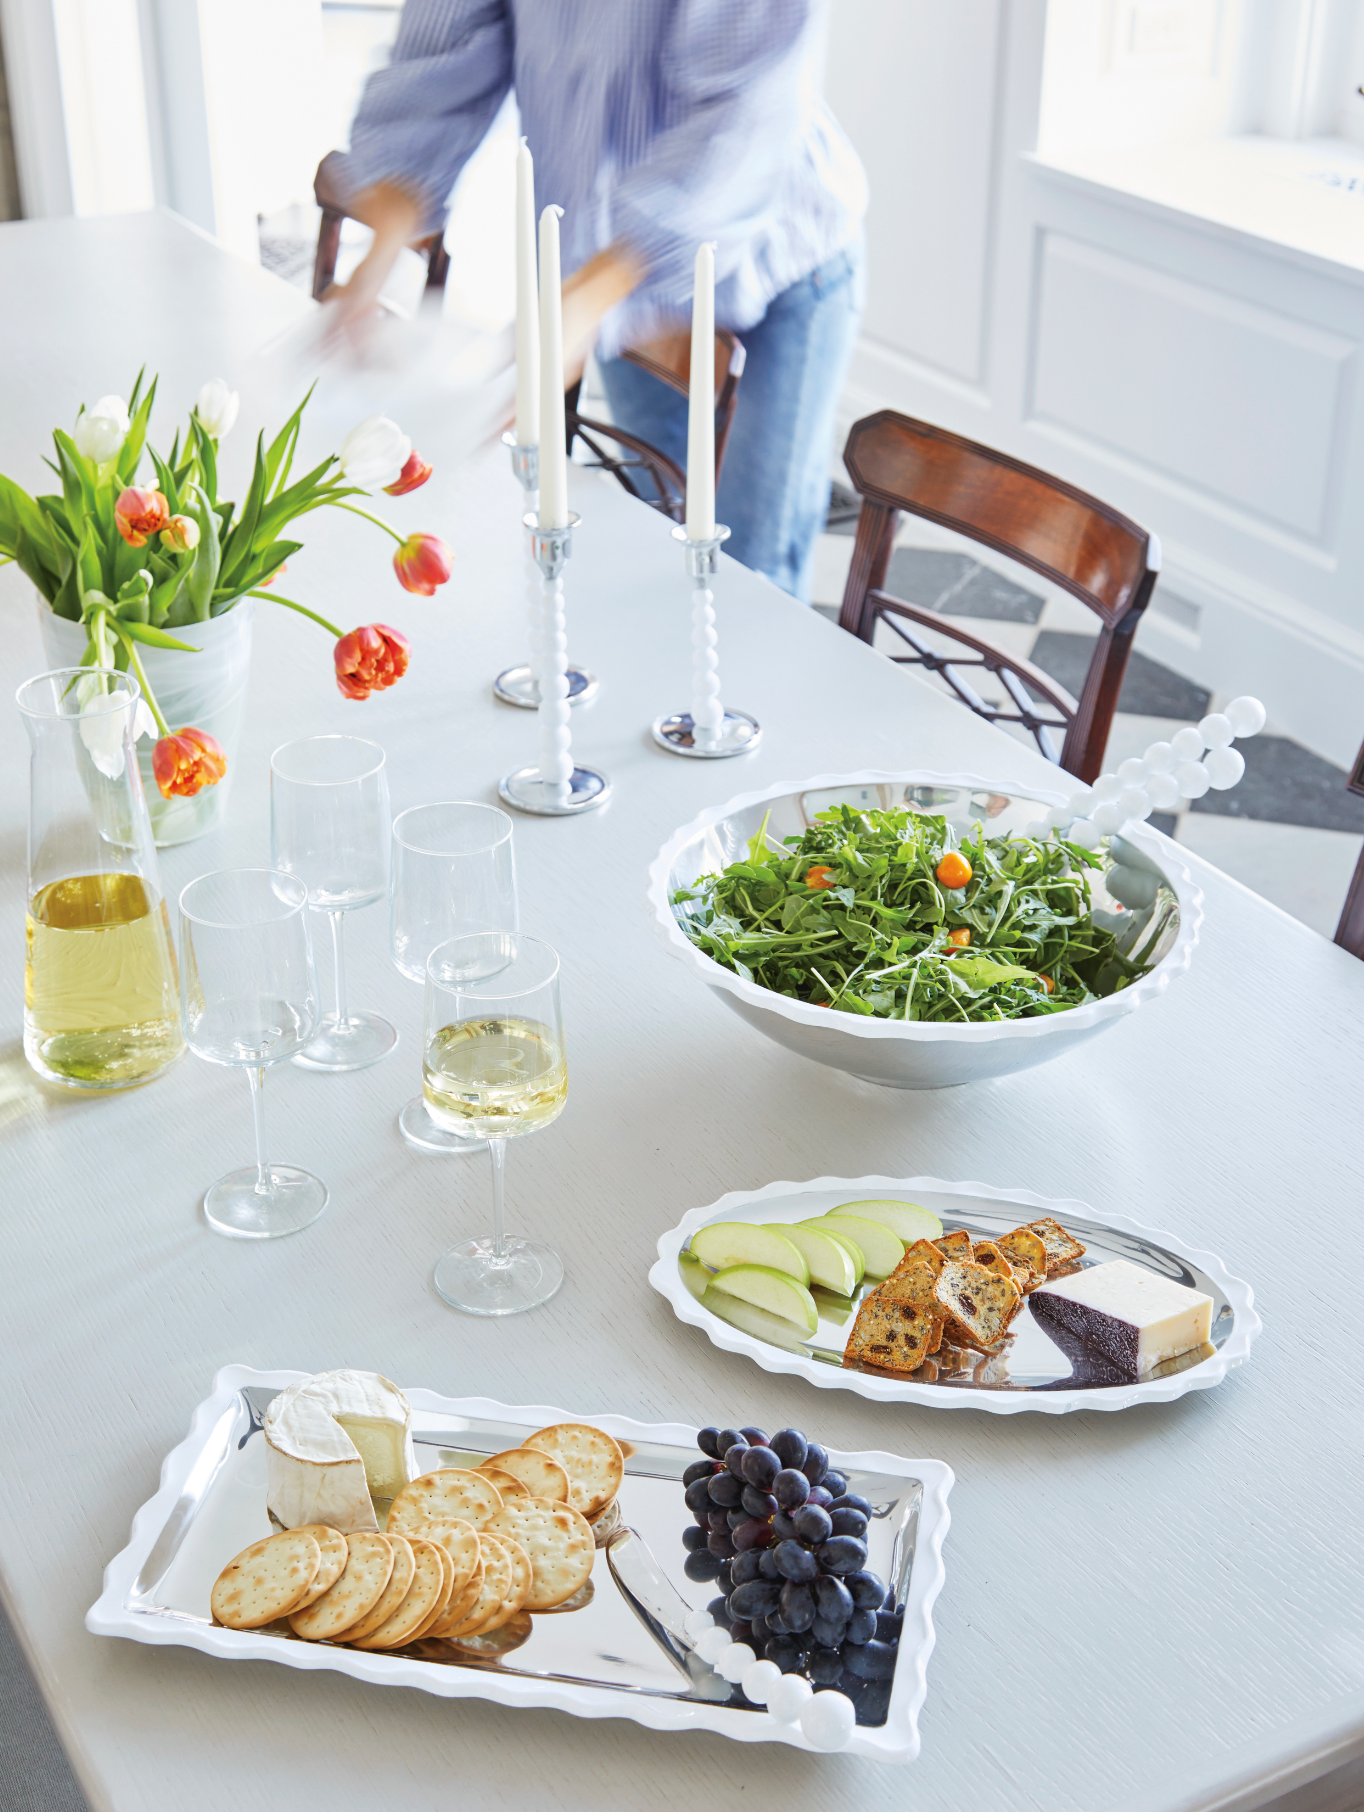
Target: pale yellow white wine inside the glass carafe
[{"x": 101, "y": 983}]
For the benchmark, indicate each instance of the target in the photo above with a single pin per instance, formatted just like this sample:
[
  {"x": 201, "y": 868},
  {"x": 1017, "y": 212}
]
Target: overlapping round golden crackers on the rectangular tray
[{"x": 463, "y": 1556}]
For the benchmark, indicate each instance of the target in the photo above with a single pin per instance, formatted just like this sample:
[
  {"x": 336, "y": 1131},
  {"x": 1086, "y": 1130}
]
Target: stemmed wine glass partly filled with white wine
[{"x": 494, "y": 1063}]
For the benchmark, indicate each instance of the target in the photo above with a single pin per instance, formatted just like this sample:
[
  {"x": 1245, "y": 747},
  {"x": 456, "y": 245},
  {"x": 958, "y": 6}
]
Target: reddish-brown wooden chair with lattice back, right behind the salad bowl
[{"x": 1071, "y": 539}]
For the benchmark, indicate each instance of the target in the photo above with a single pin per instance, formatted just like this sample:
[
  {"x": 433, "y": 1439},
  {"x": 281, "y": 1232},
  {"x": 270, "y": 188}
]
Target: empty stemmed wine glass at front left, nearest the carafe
[{"x": 249, "y": 999}]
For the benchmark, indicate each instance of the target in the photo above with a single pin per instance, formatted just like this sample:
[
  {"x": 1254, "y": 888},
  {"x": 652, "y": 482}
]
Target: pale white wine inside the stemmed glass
[{"x": 494, "y": 1077}]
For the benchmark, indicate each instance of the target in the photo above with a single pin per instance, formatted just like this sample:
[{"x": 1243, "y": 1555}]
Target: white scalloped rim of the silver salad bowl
[{"x": 932, "y": 1032}]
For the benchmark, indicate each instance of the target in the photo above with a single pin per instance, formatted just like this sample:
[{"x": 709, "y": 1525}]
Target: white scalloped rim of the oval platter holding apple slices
[{"x": 1234, "y": 1351}]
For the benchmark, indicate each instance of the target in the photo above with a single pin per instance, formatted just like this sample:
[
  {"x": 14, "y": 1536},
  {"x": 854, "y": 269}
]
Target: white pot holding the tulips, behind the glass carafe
[{"x": 206, "y": 691}]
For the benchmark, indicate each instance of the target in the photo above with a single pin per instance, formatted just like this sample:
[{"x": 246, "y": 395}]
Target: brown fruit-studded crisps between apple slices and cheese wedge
[{"x": 957, "y": 1296}]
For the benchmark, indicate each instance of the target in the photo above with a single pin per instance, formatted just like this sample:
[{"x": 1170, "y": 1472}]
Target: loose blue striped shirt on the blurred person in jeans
[{"x": 653, "y": 122}]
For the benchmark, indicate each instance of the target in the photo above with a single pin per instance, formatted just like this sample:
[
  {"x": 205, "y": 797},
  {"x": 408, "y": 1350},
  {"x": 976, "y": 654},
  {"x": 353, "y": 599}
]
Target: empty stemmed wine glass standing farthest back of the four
[{"x": 329, "y": 825}]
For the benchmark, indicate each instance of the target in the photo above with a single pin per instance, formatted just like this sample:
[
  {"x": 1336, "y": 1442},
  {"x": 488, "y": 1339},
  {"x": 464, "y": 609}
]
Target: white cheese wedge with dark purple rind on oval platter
[{"x": 1131, "y": 1316}]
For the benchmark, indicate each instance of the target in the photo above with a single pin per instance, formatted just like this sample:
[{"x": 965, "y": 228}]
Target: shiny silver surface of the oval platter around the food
[{"x": 1032, "y": 1360}]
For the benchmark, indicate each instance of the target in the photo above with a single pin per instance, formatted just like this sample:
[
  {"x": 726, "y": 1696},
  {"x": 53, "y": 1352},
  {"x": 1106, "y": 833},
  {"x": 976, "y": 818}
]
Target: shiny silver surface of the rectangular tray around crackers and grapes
[{"x": 629, "y": 1632}]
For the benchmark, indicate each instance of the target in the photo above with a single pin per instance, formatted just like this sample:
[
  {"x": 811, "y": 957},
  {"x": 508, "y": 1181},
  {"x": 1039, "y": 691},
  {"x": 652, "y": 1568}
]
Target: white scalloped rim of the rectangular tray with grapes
[{"x": 898, "y": 1740}]
